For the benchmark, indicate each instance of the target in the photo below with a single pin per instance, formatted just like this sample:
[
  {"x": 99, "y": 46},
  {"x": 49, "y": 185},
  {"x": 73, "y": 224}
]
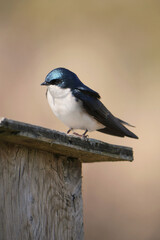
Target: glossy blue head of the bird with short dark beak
[{"x": 61, "y": 77}]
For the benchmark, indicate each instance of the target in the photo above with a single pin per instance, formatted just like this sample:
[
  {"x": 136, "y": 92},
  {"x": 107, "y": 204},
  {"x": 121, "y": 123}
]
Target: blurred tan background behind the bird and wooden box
[{"x": 114, "y": 47}]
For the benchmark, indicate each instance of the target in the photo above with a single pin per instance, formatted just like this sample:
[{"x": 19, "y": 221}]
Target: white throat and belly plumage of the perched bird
[{"x": 70, "y": 111}]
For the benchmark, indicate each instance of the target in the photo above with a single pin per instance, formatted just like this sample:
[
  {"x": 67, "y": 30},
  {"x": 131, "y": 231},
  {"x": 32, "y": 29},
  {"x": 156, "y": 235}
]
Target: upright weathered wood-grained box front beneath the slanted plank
[{"x": 40, "y": 195}]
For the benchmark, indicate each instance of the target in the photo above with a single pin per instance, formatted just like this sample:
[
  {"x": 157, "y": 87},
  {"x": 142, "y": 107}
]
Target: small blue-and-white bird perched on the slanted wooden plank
[{"x": 79, "y": 107}]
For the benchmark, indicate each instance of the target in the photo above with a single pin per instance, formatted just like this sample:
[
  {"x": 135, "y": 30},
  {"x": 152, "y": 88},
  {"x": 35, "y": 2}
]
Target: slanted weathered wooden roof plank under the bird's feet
[{"x": 86, "y": 150}]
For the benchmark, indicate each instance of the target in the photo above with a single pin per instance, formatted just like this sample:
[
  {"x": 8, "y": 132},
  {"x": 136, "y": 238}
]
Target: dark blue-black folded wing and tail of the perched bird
[{"x": 94, "y": 107}]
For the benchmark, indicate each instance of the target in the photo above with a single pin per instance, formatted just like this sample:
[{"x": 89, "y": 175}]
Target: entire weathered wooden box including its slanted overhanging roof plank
[{"x": 40, "y": 180}]
